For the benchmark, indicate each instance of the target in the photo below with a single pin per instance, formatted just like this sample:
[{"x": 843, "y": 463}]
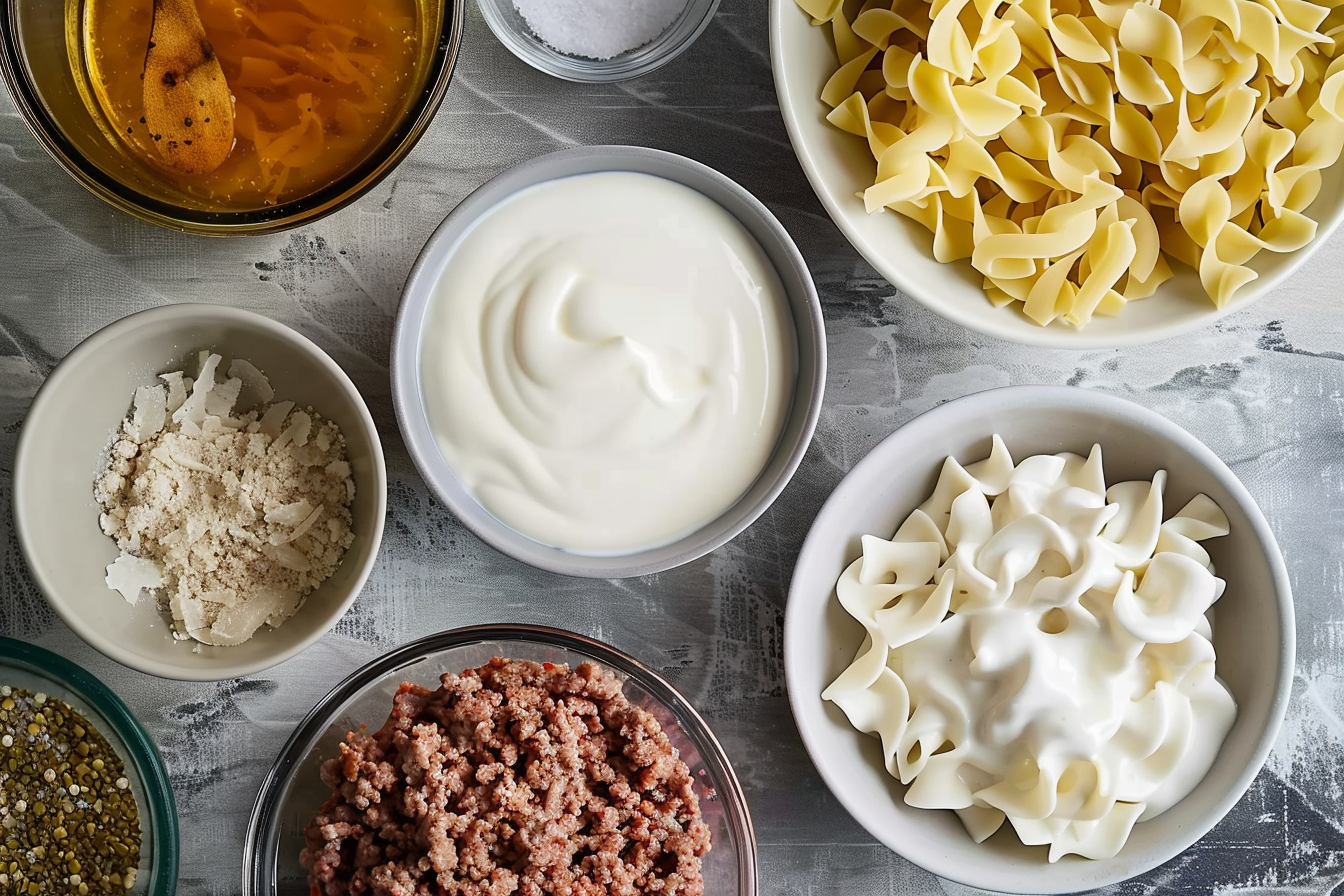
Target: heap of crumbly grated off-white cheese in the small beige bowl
[{"x": 229, "y": 521}]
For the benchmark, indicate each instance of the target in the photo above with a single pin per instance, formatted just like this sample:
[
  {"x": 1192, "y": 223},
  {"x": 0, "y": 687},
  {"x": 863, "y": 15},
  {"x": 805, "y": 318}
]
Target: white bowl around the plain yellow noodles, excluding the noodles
[{"x": 841, "y": 166}]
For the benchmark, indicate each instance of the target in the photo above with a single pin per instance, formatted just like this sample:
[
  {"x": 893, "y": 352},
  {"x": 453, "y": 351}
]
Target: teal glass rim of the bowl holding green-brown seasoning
[{"x": 140, "y": 750}]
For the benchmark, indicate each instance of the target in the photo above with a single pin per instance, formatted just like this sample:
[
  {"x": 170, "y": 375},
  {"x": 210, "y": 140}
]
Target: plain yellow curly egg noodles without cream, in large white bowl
[{"x": 1072, "y": 148}]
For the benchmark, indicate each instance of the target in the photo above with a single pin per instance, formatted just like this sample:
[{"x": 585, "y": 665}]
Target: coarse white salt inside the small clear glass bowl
[{"x": 599, "y": 29}]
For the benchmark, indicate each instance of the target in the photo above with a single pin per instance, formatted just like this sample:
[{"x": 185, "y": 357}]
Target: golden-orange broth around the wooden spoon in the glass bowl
[{"x": 317, "y": 85}]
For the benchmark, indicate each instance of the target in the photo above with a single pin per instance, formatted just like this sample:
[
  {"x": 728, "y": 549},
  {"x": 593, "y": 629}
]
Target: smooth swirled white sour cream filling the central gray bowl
[{"x": 608, "y": 362}]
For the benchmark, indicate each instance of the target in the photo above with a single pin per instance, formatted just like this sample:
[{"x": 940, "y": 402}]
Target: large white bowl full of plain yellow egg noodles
[{"x": 1093, "y": 175}]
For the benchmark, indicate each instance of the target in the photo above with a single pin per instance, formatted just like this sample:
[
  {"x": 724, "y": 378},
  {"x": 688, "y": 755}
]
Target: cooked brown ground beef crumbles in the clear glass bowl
[{"x": 513, "y": 778}]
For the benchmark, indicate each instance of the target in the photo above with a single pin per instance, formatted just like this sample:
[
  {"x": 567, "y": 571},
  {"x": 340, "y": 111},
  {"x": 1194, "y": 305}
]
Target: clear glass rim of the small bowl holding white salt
[{"x": 632, "y": 64}]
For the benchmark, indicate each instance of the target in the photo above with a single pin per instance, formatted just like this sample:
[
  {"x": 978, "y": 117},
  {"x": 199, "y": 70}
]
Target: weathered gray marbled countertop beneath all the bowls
[{"x": 1264, "y": 389}]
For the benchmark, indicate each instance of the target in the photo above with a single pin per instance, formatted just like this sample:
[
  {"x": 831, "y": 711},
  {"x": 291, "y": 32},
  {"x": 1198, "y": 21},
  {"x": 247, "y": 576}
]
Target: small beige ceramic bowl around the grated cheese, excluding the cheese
[{"x": 61, "y": 449}]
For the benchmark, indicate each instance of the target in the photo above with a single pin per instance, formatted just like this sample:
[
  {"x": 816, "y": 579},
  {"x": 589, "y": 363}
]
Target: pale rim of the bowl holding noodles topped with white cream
[{"x": 886, "y": 455}]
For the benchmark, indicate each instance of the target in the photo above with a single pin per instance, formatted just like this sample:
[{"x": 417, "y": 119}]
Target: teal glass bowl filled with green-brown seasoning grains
[{"x": 85, "y": 801}]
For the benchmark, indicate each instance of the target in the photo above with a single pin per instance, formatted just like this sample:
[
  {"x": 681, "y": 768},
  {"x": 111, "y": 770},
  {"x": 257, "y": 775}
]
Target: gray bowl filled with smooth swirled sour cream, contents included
[{"x": 610, "y": 361}]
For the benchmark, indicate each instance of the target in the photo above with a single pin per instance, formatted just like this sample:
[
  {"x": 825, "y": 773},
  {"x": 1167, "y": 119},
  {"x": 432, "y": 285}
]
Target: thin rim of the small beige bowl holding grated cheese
[{"x": 50, "y": 392}]
